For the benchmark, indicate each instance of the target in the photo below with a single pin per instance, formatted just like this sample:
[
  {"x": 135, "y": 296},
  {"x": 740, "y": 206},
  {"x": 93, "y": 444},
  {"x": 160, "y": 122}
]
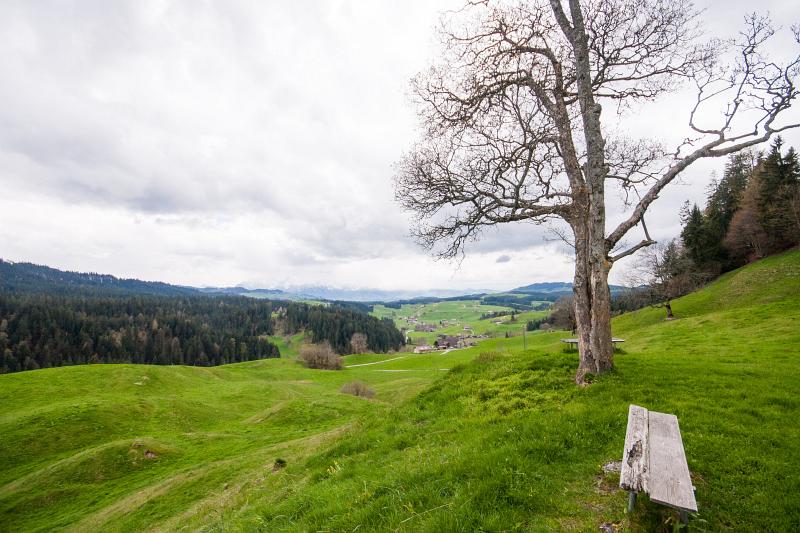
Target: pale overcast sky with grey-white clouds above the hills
[{"x": 224, "y": 143}]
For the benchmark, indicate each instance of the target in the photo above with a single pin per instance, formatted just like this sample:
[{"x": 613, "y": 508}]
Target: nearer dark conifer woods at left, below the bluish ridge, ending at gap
[{"x": 41, "y": 331}]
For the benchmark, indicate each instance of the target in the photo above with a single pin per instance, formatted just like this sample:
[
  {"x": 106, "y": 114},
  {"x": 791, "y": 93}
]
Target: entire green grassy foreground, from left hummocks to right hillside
[{"x": 503, "y": 441}]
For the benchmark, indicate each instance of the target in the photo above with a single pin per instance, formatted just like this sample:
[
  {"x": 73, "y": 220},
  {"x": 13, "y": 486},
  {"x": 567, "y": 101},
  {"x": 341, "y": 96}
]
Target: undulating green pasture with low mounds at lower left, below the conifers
[{"x": 74, "y": 439}]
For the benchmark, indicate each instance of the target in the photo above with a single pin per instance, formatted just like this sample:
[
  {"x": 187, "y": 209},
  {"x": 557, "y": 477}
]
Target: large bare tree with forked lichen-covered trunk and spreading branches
[{"x": 512, "y": 129}]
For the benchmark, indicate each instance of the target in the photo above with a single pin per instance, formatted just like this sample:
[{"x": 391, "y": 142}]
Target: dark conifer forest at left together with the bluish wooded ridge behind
[{"x": 50, "y": 318}]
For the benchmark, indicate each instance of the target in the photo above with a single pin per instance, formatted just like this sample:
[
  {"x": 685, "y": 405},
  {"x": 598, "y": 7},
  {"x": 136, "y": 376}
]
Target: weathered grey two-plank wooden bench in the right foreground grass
[{"x": 654, "y": 461}]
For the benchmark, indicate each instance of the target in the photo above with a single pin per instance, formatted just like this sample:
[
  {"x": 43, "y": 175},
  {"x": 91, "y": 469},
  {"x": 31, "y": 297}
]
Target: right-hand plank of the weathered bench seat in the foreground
[{"x": 669, "y": 482}]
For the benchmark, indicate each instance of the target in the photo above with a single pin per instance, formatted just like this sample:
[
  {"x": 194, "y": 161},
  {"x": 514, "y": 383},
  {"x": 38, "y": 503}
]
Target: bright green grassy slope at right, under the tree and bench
[{"x": 508, "y": 443}]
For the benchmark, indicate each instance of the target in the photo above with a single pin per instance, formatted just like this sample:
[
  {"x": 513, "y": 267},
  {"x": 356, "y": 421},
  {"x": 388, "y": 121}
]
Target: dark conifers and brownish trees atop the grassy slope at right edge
[{"x": 751, "y": 212}]
